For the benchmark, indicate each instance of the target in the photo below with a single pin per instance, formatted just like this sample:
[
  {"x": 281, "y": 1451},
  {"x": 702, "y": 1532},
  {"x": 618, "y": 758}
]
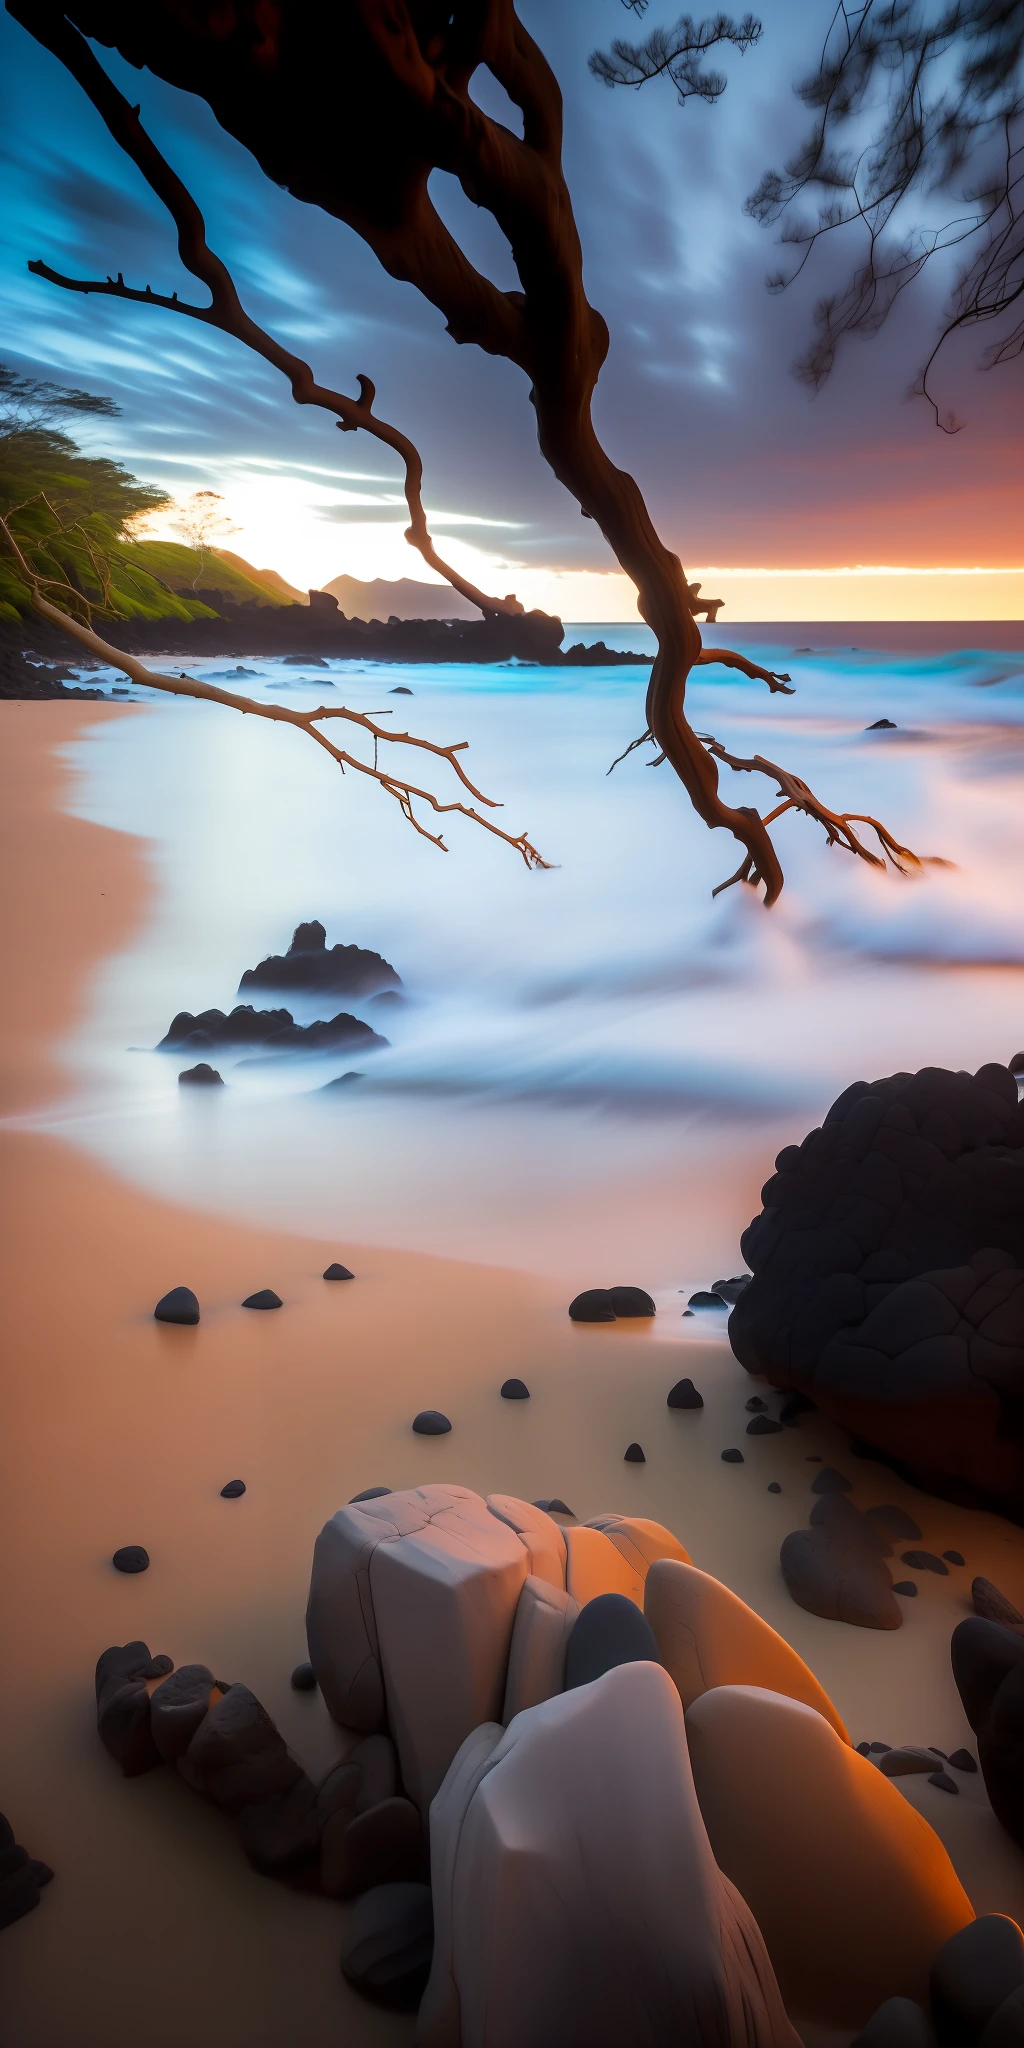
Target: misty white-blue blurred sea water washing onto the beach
[{"x": 597, "y": 1064}]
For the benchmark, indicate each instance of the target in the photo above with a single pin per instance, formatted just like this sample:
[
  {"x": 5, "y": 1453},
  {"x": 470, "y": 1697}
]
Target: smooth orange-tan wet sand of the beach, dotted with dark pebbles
[{"x": 122, "y": 1431}]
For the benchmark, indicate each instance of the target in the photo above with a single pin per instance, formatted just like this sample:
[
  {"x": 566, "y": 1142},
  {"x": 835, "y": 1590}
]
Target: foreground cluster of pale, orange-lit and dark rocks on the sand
[{"x": 550, "y": 1705}]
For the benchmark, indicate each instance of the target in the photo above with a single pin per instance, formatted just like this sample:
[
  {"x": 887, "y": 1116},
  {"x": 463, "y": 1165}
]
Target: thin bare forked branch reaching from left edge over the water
[{"x": 308, "y": 722}]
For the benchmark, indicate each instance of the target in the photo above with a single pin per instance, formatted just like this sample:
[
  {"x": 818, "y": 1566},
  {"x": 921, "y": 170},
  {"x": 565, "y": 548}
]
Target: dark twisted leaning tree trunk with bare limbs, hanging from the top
[{"x": 353, "y": 110}]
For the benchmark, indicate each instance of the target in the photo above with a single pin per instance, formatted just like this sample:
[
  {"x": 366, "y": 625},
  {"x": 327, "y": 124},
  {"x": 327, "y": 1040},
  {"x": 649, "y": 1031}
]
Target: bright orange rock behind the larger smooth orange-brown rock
[{"x": 710, "y": 1637}]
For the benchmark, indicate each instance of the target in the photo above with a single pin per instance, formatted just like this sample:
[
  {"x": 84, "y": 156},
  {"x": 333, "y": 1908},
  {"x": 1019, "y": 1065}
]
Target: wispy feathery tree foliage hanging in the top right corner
[{"x": 919, "y": 108}]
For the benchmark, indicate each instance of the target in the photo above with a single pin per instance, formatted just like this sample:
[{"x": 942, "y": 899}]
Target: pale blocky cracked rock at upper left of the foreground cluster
[{"x": 411, "y": 1621}]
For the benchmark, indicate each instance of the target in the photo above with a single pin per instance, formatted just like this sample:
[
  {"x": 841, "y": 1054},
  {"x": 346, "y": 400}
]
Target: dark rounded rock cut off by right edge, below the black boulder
[{"x": 988, "y": 1664}]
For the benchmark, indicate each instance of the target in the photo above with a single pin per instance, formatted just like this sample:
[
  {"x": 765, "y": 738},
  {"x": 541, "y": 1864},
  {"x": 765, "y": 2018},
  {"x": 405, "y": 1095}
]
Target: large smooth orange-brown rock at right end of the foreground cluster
[{"x": 849, "y": 1885}]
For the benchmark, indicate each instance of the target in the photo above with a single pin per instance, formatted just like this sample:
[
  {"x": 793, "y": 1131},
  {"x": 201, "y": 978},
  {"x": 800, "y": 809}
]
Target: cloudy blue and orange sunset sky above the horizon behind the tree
[{"x": 849, "y": 505}]
